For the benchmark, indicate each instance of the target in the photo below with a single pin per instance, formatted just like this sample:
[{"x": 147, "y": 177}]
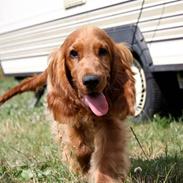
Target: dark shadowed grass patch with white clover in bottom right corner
[{"x": 160, "y": 170}]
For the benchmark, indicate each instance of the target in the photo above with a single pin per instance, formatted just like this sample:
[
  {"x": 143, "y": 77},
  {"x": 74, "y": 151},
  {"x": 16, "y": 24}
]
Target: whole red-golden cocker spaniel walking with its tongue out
[{"x": 90, "y": 93}]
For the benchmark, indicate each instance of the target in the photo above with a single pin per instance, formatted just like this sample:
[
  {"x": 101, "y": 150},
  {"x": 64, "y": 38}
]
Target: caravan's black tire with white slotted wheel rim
[{"x": 148, "y": 94}]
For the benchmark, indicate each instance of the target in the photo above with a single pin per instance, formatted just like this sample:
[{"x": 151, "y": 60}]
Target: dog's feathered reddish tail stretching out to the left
[{"x": 29, "y": 84}]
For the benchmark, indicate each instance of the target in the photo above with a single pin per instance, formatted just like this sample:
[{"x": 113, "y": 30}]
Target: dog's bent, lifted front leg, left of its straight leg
[{"x": 75, "y": 146}]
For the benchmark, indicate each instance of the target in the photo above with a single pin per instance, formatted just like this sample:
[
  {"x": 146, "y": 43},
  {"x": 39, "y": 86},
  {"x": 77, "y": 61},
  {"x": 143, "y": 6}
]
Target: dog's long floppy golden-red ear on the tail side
[{"x": 61, "y": 96}]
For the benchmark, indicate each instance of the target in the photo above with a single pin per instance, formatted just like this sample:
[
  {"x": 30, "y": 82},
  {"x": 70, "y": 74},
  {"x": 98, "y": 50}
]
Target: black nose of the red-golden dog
[{"x": 91, "y": 81}]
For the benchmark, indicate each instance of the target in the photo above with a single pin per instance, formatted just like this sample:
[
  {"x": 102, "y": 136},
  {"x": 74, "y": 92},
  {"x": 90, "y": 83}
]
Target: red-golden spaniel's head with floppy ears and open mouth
[{"x": 90, "y": 68}]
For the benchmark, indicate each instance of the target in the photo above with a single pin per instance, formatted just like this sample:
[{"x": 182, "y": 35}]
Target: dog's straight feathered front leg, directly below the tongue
[{"x": 109, "y": 163}]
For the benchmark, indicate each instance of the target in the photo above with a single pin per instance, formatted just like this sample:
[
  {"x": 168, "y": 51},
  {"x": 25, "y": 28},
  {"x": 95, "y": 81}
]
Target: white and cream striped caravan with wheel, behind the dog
[{"x": 30, "y": 30}]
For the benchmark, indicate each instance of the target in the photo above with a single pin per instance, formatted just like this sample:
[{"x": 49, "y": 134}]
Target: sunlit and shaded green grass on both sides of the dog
[{"x": 28, "y": 154}]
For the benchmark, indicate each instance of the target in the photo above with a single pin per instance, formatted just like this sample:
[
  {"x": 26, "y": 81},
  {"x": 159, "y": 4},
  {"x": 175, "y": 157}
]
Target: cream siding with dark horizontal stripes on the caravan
[{"x": 160, "y": 20}]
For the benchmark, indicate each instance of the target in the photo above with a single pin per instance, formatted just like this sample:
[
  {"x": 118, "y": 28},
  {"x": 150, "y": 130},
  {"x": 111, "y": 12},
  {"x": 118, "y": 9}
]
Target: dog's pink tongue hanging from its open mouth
[{"x": 98, "y": 104}]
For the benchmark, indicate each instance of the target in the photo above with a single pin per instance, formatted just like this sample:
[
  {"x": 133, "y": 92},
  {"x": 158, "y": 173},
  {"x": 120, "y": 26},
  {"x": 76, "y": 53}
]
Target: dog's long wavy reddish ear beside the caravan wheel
[{"x": 123, "y": 83}]
